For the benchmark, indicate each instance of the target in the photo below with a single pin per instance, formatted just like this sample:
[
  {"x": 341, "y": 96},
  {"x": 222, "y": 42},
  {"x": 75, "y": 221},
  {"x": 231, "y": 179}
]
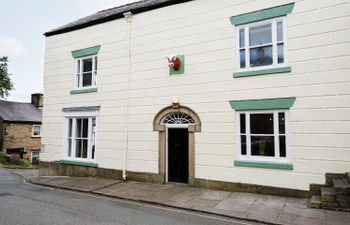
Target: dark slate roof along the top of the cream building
[{"x": 112, "y": 14}]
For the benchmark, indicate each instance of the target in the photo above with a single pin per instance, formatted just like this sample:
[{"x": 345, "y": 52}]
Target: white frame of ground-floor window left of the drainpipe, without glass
[{"x": 91, "y": 139}]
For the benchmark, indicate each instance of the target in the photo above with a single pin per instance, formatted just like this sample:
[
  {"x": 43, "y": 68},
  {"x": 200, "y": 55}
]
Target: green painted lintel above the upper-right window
[{"x": 262, "y": 14}]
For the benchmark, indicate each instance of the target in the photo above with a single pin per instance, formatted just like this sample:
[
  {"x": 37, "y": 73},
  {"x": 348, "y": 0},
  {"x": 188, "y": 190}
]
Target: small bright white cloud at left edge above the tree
[{"x": 11, "y": 46}]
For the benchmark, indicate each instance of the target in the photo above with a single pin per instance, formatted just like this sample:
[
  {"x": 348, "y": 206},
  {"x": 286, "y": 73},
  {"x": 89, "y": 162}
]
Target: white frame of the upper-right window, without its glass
[{"x": 275, "y": 63}]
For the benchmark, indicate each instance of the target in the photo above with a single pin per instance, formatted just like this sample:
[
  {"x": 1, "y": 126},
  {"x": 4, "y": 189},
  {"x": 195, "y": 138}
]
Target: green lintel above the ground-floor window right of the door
[{"x": 260, "y": 104}]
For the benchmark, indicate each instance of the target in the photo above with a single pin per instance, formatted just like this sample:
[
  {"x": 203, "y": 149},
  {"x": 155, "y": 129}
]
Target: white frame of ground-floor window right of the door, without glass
[{"x": 248, "y": 156}]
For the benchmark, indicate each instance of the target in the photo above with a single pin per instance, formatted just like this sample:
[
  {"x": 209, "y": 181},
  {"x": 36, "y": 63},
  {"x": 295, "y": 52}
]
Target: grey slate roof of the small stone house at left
[{"x": 19, "y": 112}]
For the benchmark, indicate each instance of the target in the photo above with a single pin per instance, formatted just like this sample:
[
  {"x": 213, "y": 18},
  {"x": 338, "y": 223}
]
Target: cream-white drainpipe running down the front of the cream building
[{"x": 128, "y": 17}]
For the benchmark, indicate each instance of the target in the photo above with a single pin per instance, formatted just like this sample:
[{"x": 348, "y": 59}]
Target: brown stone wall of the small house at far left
[{"x": 20, "y": 136}]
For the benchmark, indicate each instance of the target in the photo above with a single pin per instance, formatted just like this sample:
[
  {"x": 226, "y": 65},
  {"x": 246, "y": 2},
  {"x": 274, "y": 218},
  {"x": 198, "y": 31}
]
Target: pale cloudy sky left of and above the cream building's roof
[{"x": 23, "y": 23}]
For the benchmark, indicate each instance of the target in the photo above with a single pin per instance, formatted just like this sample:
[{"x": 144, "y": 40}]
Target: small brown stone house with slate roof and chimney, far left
[{"x": 20, "y": 127}]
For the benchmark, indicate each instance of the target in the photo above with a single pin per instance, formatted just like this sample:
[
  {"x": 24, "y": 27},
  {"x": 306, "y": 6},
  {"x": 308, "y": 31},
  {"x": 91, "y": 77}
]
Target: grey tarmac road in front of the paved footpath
[{"x": 22, "y": 204}]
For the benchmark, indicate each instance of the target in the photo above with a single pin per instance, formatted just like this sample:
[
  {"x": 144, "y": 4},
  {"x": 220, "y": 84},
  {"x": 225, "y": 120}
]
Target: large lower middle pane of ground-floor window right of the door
[{"x": 262, "y": 146}]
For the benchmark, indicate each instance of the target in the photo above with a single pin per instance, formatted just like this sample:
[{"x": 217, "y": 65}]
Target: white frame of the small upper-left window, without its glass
[{"x": 78, "y": 70}]
